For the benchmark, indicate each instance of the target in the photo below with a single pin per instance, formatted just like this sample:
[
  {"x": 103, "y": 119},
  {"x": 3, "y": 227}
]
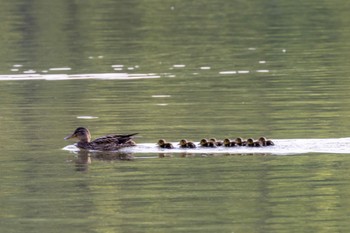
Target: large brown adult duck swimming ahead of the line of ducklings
[{"x": 105, "y": 143}]
